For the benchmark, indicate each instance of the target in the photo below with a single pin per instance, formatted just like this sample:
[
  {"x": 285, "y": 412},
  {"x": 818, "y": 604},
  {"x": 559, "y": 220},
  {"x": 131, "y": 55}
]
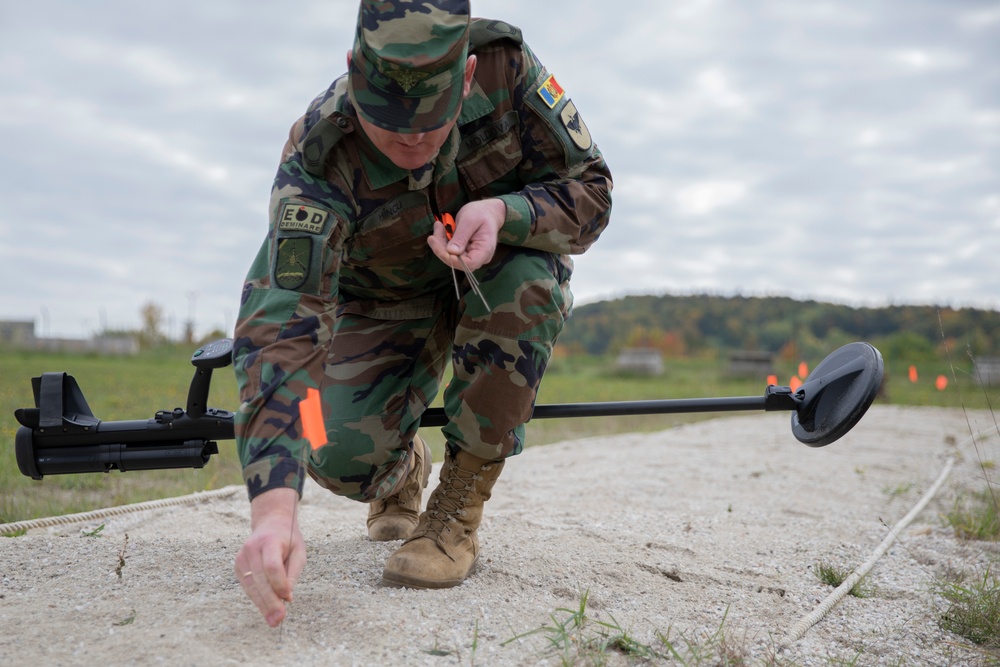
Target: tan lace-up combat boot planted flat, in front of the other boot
[{"x": 444, "y": 548}]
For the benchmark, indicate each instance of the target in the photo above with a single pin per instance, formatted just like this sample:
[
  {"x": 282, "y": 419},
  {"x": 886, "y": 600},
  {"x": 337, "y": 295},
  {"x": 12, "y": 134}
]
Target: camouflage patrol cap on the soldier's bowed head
[{"x": 408, "y": 63}]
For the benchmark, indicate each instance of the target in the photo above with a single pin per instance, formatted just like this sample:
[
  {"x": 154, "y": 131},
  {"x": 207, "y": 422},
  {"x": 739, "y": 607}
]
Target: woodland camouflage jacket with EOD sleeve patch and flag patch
[{"x": 348, "y": 229}]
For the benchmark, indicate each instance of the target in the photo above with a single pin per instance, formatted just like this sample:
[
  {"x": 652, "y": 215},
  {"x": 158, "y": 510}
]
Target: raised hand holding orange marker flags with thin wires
[{"x": 477, "y": 226}]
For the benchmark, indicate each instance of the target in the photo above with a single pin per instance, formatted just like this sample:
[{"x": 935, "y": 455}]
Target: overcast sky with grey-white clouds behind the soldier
[{"x": 843, "y": 151}]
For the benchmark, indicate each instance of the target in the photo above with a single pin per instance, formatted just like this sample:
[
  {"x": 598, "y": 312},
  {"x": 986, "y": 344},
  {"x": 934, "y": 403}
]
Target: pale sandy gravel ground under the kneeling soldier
[{"x": 676, "y": 534}]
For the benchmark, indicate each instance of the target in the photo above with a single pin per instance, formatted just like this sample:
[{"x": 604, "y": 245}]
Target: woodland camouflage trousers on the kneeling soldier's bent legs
[{"x": 382, "y": 374}]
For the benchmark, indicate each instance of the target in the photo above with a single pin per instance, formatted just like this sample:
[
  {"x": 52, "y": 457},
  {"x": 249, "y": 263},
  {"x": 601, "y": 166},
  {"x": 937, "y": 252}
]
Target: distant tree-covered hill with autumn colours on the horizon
[{"x": 704, "y": 324}]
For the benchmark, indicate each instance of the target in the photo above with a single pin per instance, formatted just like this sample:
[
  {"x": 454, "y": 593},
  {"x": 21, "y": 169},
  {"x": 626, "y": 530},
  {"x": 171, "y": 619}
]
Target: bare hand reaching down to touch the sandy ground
[{"x": 271, "y": 560}]
